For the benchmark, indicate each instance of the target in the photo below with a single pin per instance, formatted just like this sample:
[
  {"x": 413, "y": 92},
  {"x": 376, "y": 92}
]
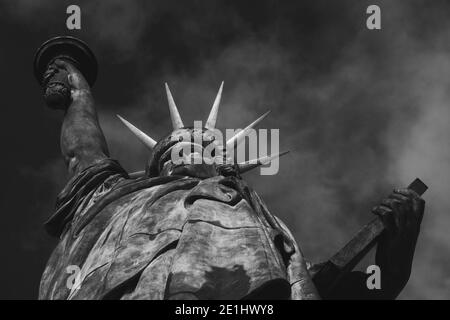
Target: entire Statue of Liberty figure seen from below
[{"x": 188, "y": 230}]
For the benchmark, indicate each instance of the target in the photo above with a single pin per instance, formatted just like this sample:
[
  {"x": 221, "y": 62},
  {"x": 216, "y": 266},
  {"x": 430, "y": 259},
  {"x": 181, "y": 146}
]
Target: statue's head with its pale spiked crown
[{"x": 197, "y": 150}]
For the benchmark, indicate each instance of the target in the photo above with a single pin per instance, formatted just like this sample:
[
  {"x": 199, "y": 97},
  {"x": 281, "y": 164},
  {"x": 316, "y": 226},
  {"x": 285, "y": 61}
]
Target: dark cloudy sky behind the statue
[{"x": 362, "y": 111}]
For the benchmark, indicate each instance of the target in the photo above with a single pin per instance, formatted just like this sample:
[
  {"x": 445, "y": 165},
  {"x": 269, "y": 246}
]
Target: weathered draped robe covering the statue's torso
[{"x": 172, "y": 238}]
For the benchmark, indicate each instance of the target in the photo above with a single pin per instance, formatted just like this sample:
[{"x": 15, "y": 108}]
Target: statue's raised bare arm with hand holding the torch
[{"x": 57, "y": 68}]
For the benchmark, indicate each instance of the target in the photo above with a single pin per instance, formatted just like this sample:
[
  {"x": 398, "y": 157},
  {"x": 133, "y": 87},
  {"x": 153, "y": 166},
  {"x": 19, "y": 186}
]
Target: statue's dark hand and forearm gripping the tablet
[{"x": 401, "y": 213}]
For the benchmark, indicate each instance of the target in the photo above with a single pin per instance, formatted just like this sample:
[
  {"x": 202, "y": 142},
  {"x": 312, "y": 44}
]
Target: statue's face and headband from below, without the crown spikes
[{"x": 188, "y": 145}]
